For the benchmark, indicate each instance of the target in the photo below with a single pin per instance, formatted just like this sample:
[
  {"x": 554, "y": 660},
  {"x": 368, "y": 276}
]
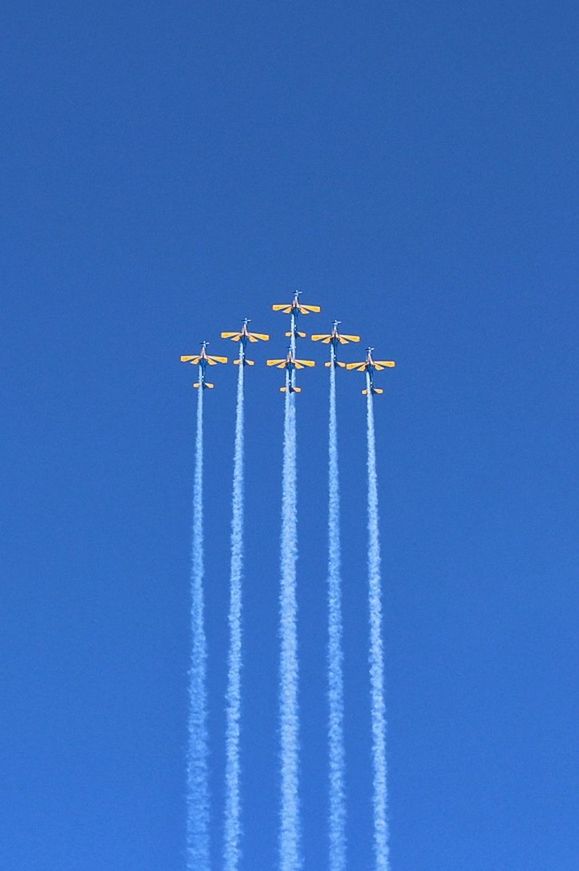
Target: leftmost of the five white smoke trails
[{"x": 197, "y": 774}]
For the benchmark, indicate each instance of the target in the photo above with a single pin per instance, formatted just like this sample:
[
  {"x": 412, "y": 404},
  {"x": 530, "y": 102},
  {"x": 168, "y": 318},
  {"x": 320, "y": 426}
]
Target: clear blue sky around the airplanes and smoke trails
[{"x": 169, "y": 168}]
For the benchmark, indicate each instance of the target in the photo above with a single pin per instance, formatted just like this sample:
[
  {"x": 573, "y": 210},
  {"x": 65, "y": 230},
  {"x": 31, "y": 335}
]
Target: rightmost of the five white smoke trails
[{"x": 381, "y": 833}]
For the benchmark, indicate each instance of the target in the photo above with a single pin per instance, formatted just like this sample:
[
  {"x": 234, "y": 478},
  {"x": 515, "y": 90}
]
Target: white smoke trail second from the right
[{"x": 337, "y": 815}]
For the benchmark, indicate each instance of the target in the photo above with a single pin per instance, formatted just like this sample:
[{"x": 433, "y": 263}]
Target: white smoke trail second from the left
[{"x": 232, "y": 833}]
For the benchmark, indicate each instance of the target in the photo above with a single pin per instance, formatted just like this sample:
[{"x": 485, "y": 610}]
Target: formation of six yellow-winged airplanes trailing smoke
[{"x": 290, "y": 362}]
